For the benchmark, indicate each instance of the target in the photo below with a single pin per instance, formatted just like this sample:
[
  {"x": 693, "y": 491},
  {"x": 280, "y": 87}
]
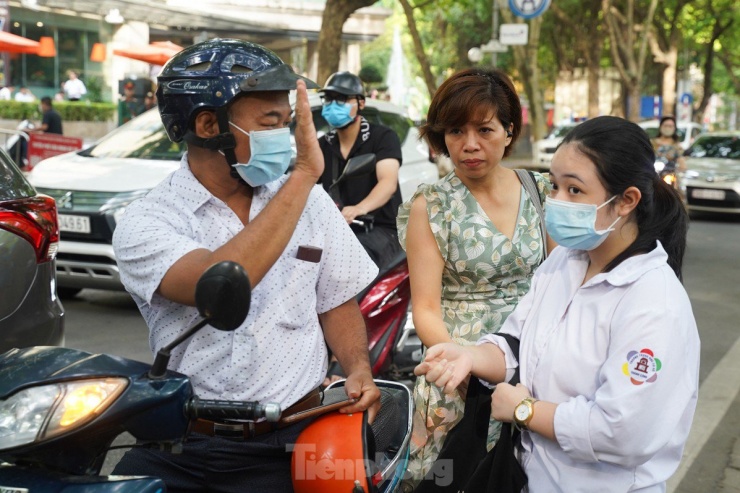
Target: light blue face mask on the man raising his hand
[{"x": 270, "y": 156}]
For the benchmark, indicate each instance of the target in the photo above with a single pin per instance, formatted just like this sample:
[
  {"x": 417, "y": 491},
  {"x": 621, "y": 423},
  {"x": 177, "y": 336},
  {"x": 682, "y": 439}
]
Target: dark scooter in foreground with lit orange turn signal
[{"x": 61, "y": 409}]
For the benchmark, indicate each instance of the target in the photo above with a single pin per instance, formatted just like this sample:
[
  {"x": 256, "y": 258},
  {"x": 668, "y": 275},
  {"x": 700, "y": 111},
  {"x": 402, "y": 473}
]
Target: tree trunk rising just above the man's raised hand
[{"x": 336, "y": 13}]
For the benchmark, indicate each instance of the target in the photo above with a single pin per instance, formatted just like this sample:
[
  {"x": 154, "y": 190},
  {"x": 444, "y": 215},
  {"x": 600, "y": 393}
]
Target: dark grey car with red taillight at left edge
[{"x": 30, "y": 311}]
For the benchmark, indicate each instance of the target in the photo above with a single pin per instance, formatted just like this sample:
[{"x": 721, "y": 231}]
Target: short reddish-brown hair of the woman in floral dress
[{"x": 471, "y": 95}]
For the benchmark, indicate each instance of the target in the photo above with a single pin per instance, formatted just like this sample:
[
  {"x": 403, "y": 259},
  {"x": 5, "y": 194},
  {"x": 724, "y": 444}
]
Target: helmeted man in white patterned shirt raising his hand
[{"x": 230, "y": 200}]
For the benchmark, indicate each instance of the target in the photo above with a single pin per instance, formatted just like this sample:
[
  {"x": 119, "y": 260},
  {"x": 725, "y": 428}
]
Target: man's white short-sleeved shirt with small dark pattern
[{"x": 279, "y": 353}]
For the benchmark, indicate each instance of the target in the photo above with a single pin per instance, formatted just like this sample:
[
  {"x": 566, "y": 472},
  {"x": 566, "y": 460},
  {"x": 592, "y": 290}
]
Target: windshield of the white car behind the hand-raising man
[{"x": 143, "y": 138}]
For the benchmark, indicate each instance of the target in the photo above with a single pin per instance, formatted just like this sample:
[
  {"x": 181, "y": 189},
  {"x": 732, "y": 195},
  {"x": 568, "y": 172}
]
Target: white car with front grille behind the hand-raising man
[{"x": 93, "y": 186}]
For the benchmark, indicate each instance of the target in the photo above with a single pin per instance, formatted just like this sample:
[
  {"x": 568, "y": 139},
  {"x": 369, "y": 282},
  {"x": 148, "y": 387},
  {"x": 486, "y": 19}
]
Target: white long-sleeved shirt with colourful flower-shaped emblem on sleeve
[{"x": 620, "y": 356}]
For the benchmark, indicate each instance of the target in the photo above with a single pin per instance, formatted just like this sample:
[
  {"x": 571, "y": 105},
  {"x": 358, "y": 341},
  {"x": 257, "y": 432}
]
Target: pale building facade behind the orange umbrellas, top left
[{"x": 288, "y": 27}]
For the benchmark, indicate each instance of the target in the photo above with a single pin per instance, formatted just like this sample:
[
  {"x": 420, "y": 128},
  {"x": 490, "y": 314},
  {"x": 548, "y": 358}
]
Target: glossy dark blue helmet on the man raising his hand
[{"x": 208, "y": 76}]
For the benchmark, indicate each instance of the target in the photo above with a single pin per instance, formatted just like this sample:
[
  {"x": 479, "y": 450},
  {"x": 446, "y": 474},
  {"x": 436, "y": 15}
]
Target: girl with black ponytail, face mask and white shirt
[{"x": 609, "y": 355}]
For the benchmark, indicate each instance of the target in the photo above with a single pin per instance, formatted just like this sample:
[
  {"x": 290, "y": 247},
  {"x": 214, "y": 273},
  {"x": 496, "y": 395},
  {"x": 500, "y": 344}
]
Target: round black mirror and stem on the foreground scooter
[{"x": 222, "y": 297}]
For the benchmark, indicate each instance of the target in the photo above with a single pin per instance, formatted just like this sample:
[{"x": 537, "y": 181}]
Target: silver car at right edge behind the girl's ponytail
[{"x": 711, "y": 181}]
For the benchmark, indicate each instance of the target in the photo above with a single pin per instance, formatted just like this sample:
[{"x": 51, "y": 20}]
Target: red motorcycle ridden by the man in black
[{"x": 394, "y": 347}]
